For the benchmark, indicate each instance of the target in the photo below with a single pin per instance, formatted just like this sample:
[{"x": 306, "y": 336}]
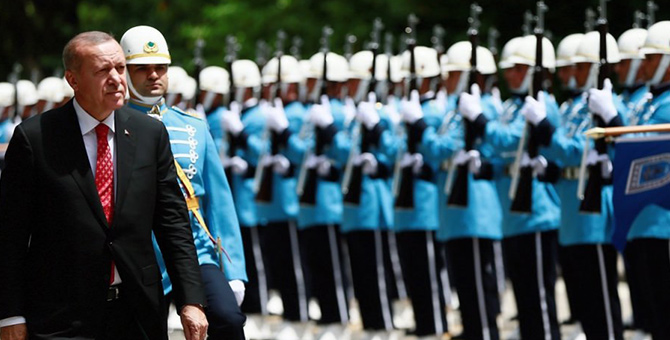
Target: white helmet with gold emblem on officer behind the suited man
[{"x": 145, "y": 45}]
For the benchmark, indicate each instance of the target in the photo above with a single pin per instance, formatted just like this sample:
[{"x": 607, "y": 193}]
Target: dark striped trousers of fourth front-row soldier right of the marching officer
[{"x": 368, "y": 270}]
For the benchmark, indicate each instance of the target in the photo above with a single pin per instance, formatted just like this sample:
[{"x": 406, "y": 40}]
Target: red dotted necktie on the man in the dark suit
[{"x": 104, "y": 177}]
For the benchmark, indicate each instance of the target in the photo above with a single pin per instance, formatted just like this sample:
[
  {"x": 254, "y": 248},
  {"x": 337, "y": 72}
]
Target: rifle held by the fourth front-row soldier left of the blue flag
[{"x": 403, "y": 178}]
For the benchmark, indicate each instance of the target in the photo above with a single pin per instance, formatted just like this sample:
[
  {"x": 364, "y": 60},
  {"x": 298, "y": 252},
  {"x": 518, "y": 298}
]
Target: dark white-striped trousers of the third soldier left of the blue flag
[{"x": 474, "y": 276}]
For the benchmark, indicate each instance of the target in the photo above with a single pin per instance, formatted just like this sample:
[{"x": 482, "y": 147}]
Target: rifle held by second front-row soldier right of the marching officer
[{"x": 264, "y": 173}]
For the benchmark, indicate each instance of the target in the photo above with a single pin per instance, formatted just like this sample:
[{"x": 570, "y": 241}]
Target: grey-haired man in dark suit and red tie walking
[{"x": 83, "y": 188}]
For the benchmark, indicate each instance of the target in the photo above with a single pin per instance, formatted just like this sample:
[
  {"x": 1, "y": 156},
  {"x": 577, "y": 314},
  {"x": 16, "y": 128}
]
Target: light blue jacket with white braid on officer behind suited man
[{"x": 194, "y": 150}]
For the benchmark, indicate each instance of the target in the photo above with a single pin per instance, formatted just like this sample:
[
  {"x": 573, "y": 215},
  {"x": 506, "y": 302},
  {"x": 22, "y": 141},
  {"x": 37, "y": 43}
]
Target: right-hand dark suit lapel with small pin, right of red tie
[{"x": 125, "y": 154}]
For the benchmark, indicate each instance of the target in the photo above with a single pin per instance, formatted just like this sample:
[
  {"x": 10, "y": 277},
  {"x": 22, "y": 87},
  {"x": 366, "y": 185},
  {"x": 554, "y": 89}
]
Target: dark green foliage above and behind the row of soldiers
[{"x": 35, "y": 31}]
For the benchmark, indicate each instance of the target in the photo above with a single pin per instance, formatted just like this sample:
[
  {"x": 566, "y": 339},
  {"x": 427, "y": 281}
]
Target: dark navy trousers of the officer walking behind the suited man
[{"x": 225, "y": 318}]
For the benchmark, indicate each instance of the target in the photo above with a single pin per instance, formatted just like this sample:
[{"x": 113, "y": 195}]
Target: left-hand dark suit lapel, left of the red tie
[{"x": 73, "y": 147}]
